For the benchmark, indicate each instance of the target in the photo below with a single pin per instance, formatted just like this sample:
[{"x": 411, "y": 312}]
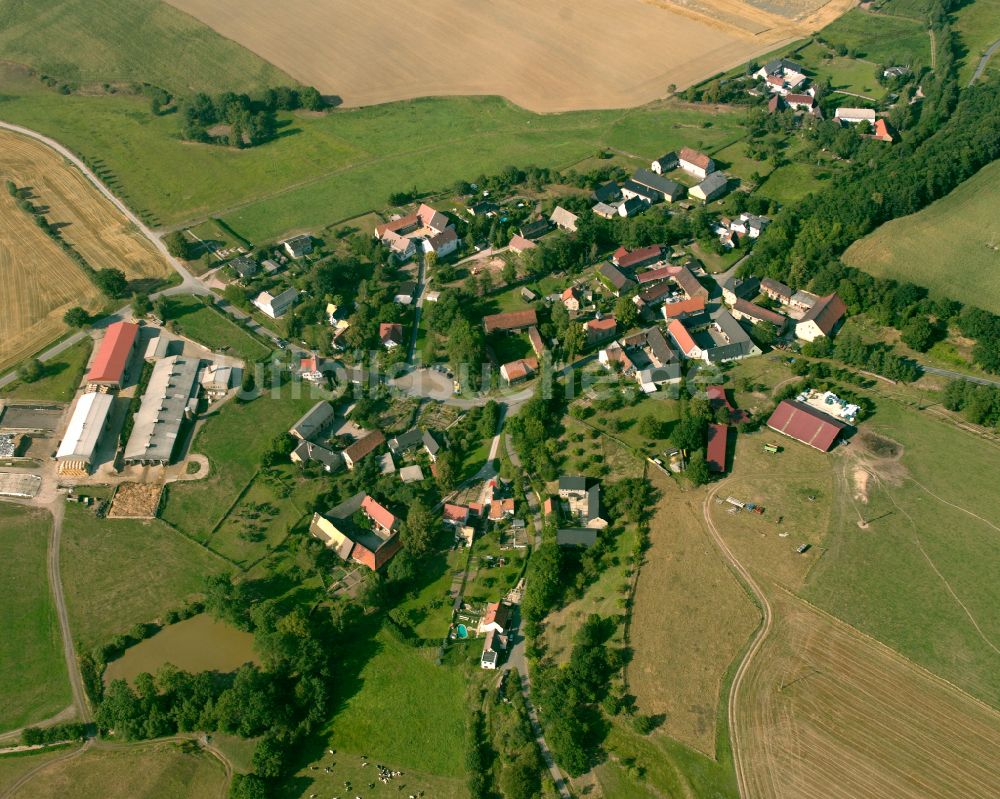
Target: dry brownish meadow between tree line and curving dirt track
[{"x": 690, "y": 619}]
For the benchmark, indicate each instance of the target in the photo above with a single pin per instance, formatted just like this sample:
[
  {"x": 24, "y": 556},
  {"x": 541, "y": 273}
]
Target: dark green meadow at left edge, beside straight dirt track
[{"x": 32, "y": 667}]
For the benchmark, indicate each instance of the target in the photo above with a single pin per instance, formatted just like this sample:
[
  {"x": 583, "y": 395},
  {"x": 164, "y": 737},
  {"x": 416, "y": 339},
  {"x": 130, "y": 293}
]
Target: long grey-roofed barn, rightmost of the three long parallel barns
[{"x": 170, "y": 398}]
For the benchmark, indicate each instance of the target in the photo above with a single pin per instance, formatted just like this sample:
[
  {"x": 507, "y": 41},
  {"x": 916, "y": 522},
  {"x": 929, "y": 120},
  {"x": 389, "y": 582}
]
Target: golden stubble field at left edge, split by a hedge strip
[{"x": 38, "y": 281}]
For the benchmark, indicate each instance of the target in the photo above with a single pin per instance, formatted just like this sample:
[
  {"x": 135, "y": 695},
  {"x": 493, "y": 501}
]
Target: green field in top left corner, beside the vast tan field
[{"x": 97, "y": 41}]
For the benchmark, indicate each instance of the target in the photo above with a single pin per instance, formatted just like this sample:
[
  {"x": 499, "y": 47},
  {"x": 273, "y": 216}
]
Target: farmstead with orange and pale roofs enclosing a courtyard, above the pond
[{"x": 371, "y": 544}]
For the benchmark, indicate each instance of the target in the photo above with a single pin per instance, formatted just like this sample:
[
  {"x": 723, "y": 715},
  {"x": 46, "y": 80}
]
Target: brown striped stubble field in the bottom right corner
[{"x": 825, "y": 711}]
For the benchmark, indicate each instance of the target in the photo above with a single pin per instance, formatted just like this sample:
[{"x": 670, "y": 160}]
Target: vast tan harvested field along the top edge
[{"x": 557, "y": 55}]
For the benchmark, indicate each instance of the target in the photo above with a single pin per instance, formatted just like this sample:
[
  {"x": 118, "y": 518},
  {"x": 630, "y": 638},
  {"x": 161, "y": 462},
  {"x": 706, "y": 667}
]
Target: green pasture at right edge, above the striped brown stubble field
[{"x": 898, "y": 580}]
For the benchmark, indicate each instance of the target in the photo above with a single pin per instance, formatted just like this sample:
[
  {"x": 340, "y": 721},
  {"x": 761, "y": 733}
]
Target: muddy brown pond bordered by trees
[{"x": 197, "y": 644}]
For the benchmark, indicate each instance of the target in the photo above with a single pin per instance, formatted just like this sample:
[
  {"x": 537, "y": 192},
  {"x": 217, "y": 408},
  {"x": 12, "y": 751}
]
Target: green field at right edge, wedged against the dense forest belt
[{"x": 952, "y": 246}]
